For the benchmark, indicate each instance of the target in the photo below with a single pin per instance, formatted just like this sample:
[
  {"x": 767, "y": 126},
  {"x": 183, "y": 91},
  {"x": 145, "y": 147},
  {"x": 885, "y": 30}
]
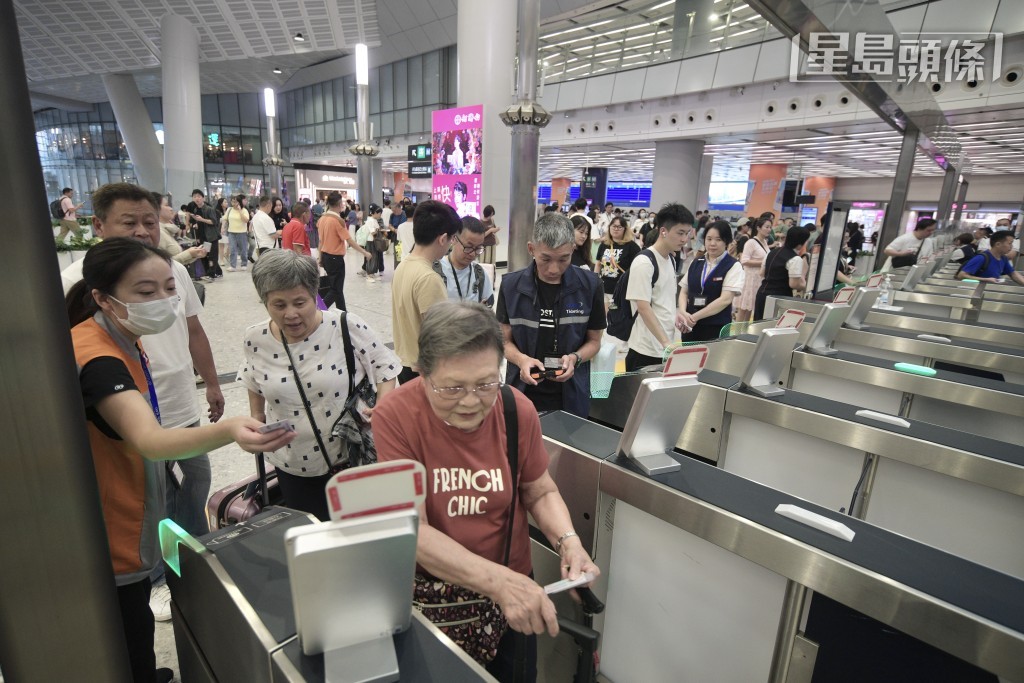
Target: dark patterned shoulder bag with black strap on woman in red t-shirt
[{"x": 476, "y": 623}]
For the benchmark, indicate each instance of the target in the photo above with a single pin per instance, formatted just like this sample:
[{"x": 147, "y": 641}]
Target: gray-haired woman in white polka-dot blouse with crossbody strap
[{"x": 296, "y": 369}]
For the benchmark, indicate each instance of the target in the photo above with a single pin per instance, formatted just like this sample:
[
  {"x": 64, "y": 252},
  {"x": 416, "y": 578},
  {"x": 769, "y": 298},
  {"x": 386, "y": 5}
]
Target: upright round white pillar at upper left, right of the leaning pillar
[{"x": 183, "y": 109}]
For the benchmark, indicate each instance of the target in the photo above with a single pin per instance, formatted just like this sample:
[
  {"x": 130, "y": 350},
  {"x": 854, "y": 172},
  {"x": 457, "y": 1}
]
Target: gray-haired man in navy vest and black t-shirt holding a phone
[{"x": 552, "y": 320}]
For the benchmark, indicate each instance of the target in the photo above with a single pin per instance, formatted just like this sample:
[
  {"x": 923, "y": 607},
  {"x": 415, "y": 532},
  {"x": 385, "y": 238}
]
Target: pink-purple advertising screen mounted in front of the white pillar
[{"x": 458, "y": 158}]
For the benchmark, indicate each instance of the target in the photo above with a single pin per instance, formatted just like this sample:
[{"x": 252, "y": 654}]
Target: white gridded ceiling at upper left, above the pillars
[{"x": 70, "y": 45}]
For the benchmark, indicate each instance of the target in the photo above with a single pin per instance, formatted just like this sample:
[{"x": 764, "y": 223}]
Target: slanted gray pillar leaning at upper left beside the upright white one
[{"x": 137, "y": 131}]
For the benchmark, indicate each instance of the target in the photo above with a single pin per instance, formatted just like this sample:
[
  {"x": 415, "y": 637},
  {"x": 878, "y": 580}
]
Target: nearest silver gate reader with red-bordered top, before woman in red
[{"x": 352, "y": 579}]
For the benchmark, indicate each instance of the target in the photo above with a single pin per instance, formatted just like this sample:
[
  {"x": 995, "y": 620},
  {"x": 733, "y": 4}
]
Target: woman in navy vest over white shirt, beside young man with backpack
[{"x": 709, "y": 288}]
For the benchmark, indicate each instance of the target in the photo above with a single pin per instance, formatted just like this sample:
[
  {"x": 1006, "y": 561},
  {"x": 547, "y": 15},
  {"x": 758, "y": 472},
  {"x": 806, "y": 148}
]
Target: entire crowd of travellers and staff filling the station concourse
[{"x": 471, "y": 355}]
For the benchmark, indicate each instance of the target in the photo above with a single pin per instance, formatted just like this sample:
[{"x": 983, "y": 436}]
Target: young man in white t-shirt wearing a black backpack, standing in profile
[{"x": 651, "y": 289}]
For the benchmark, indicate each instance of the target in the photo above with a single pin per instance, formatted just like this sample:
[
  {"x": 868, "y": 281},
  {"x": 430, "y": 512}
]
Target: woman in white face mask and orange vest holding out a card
[{"x": 129, "y": 291}]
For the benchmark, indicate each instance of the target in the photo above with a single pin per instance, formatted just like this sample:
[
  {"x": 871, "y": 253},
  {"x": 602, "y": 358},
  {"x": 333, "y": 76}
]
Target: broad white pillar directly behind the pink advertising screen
[{"x": 487, "y": 54}]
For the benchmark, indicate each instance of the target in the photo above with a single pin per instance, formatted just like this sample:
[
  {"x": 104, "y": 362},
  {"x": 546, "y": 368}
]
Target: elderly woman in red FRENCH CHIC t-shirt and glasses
[{"x": 452, "y": 420}]
